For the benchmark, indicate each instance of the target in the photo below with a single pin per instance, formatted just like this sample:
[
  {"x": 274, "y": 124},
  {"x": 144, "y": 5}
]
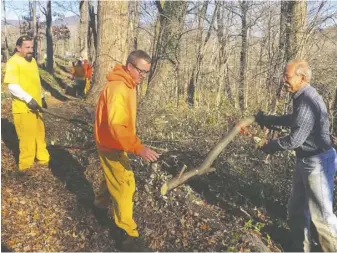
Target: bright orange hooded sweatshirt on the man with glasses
[{"x": 115, "y": 125}]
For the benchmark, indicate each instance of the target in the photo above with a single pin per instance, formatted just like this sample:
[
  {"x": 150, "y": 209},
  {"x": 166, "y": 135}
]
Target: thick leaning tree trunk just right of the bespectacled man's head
[{"x": 166, "y": 47}]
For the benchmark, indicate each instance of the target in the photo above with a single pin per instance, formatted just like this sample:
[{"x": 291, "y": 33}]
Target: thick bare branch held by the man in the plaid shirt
[{"x": 205, "y": 167}]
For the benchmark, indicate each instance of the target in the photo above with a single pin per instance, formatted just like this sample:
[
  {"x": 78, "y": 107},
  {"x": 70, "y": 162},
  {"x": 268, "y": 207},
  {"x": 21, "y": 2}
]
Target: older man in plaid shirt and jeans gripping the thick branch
[{"x": 313, "y": 180}]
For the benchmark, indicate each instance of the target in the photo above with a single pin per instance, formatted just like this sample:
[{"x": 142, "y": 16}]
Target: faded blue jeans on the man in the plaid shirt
[{"x": 312, "y": 198}]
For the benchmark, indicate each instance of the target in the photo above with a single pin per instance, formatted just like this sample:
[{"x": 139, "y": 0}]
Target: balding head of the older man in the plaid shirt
[{"x": 297, "y": 74}]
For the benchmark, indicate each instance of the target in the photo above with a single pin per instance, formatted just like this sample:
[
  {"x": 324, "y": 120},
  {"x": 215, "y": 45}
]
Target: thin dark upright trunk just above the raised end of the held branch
[{"x": 243, "y": 54}]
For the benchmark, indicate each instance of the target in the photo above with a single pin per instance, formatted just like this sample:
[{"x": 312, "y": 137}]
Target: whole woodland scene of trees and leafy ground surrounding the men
[{"x": 214, "y": 63}]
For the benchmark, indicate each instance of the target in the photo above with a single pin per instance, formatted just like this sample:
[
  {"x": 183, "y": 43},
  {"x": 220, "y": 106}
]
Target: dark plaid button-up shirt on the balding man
[{"x": 309, "y": 123}]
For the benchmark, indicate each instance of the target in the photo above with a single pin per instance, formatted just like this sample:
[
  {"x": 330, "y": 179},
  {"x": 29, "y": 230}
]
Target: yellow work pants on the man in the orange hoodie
[{"x": 120, "y": 183}]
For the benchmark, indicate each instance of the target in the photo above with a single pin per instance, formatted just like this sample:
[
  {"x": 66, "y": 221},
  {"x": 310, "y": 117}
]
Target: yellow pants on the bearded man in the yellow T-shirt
[{"x": 31, "y": 134}]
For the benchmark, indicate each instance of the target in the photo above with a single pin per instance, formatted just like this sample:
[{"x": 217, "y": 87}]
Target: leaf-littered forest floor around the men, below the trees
[{"x": 240, "y": 207}]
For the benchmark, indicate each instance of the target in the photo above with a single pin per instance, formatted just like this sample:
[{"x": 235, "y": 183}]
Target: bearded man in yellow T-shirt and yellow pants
[{"x": 22, "y": 77}]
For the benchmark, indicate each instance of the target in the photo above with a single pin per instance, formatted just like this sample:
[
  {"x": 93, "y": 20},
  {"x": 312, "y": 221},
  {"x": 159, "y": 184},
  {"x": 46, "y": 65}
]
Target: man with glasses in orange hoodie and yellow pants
[{"x": 115, "y": 135}]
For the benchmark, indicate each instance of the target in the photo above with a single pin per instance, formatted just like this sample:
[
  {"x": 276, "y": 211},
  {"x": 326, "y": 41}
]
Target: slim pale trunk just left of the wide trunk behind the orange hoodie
[{"x": 84, "y": 29}]
